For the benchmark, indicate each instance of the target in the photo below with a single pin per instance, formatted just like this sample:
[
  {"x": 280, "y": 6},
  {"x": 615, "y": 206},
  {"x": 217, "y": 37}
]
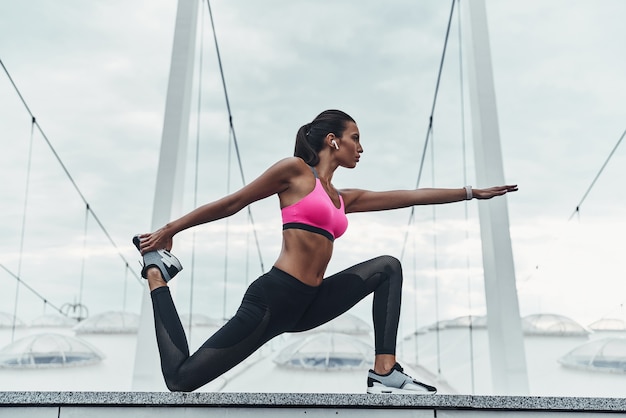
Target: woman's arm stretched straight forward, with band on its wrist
[{"x": 357, "y": 200}]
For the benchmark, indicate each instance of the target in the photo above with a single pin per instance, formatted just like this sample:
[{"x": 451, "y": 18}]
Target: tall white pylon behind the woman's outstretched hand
[{"x": 506, "y": 344}]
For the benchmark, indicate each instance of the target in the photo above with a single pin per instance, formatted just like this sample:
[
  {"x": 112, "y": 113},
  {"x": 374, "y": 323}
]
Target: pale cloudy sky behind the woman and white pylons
[{"x": 94, "y": 74}]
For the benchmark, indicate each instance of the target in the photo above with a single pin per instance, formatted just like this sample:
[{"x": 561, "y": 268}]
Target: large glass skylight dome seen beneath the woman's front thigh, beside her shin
[{"x": 326, "y": 351}]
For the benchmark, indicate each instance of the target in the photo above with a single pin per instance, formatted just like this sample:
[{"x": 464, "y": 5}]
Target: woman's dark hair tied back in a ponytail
[{"x": 310, "y": 137}]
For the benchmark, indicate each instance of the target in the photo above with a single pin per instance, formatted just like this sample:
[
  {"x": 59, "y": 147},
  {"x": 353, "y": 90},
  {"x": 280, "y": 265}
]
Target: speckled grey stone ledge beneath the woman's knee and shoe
[{"x": 310, "y": 400}]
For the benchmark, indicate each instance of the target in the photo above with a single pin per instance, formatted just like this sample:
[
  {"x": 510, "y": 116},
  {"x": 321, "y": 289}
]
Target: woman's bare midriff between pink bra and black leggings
[{"x": 305, "y": 255}]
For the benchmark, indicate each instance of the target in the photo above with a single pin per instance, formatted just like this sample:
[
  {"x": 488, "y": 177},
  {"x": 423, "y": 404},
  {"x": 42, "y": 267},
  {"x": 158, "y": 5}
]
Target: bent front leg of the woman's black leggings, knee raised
[{"x": 341, "y": 291}]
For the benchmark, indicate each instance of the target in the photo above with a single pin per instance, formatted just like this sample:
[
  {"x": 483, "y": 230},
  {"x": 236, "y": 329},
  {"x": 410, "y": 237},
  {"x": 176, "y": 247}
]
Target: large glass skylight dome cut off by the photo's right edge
[{"x": 604, "y": 355}]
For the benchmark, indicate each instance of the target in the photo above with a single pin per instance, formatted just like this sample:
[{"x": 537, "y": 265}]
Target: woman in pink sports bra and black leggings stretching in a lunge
[{"x": 294, "y": 295}]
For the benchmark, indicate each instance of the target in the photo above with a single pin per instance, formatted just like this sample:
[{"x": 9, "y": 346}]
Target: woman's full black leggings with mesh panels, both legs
[{"x": 273, "y": 304}]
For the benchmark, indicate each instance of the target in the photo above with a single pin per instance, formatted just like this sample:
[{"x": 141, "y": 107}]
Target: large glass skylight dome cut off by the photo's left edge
[{"x": 48, "y": 351}]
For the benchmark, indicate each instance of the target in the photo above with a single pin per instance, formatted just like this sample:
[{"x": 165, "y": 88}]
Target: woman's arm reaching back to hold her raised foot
[{"x": 274, "y": 180}]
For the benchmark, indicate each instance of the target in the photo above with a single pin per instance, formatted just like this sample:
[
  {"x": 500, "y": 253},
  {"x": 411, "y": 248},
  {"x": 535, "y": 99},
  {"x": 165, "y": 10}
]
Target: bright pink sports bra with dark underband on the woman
[{"x": 316, "y": 213}]
